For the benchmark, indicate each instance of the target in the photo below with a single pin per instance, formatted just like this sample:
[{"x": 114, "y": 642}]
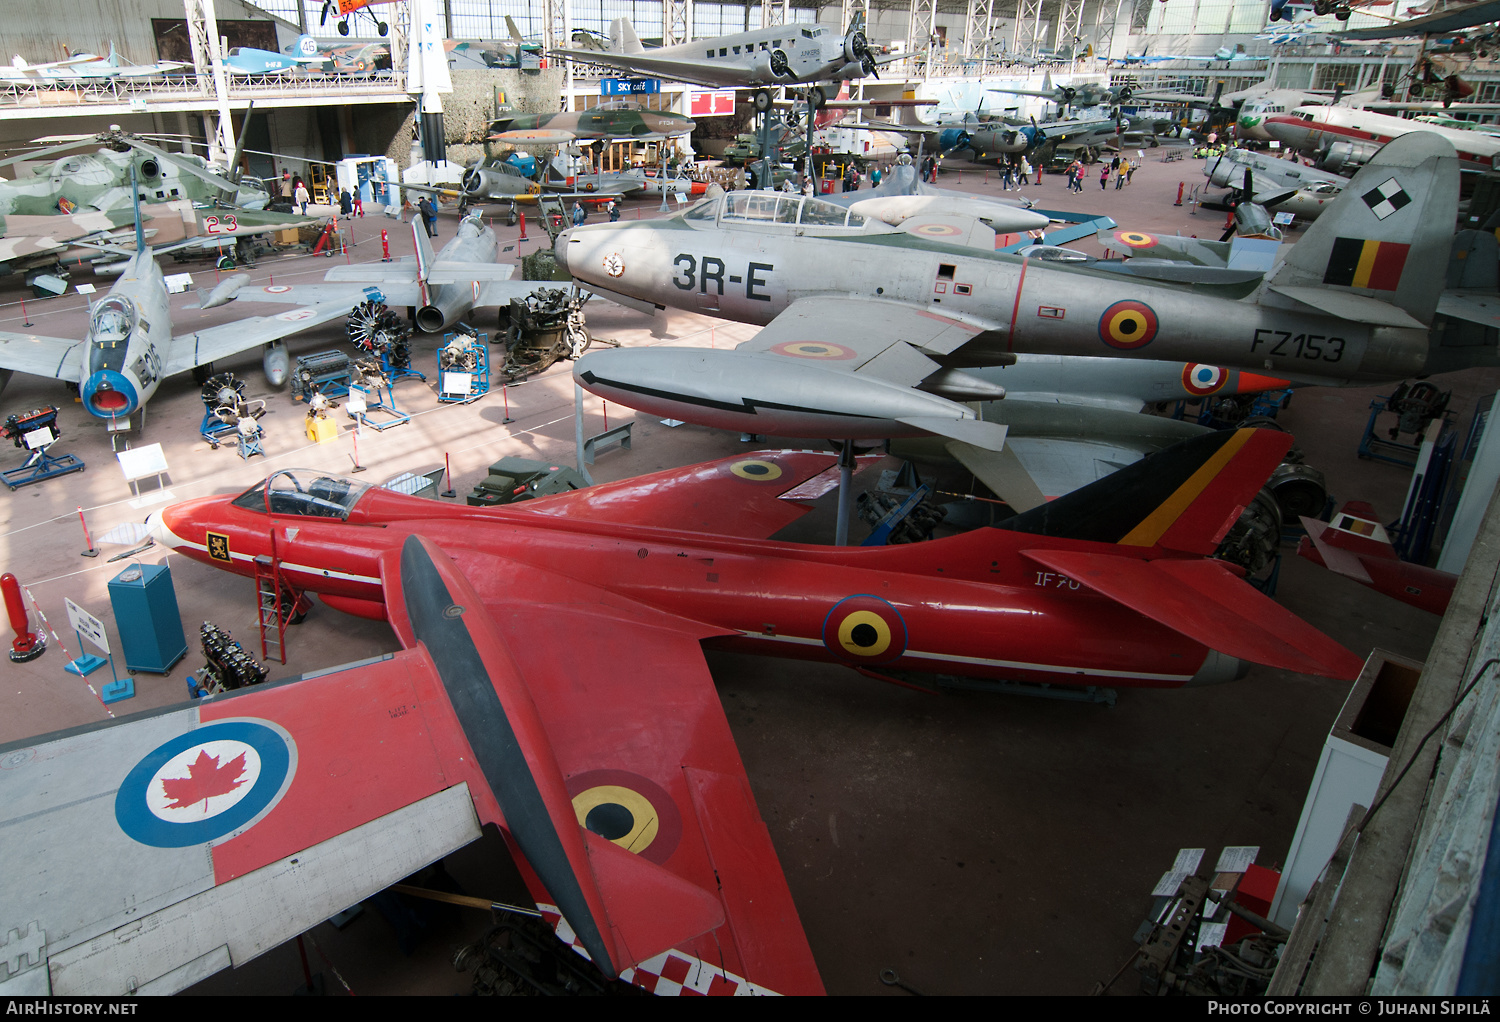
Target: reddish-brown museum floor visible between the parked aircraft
[{"x": 976, "y": 844}]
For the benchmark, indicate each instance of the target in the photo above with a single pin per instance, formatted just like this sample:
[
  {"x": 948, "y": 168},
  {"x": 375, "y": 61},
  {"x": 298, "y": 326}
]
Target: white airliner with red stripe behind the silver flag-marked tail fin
[{"x": 1343, "y": 137}]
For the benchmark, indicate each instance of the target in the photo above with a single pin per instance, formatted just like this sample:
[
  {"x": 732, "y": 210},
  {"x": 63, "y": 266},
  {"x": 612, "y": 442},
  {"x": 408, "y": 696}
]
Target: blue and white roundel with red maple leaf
[{"x": 208, "y": 784}]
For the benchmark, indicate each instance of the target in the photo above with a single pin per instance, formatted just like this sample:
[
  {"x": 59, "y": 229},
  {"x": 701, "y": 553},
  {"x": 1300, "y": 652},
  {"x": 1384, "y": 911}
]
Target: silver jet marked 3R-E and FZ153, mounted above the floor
[{"x": 860, "y": 314}]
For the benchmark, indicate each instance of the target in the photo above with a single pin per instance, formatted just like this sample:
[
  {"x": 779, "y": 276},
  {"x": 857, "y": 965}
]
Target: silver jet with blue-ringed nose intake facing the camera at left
[{"x": 130, "y": 347}]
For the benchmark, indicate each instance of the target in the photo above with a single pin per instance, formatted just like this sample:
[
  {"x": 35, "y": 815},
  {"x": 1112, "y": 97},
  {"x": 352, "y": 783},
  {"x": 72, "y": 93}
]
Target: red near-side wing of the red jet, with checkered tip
[{"x": 646, "y": 757}]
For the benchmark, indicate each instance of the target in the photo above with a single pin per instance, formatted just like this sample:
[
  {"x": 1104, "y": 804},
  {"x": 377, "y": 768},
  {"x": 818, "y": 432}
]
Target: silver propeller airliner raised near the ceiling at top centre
[{"x": 790, "y": 55}]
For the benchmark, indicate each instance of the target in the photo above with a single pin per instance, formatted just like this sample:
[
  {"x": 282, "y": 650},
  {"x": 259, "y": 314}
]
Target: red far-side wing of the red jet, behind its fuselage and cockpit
[{"x": 751, "y": 496}]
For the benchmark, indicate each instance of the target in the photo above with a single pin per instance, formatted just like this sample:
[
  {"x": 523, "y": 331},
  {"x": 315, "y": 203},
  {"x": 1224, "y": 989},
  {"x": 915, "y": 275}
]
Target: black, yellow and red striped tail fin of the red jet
[{"x": 1183, "y": 499}]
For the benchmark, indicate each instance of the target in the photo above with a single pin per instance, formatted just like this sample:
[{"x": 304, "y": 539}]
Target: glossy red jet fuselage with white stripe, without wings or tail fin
[{"x": 970, "y": 606}]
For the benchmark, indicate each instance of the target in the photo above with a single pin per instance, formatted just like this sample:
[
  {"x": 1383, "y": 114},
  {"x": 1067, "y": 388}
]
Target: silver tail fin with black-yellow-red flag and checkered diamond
[{"x": 1390, "y": 232}]
